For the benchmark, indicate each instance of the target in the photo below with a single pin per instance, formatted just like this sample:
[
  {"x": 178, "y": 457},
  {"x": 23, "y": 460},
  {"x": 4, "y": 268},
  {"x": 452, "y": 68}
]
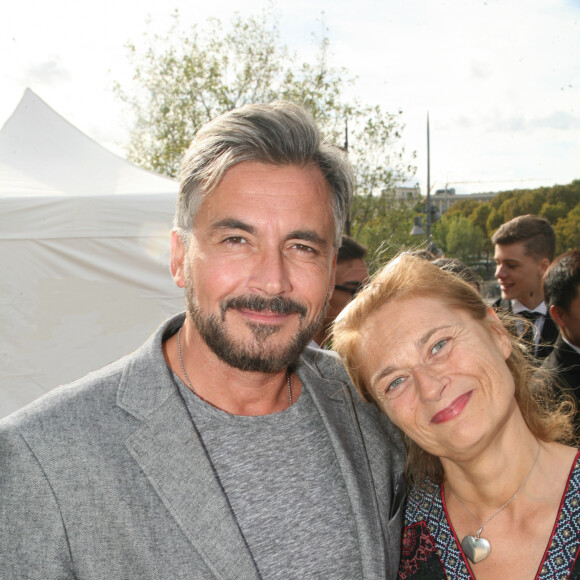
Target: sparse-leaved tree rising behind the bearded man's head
[{"x": 188, "y": 76}]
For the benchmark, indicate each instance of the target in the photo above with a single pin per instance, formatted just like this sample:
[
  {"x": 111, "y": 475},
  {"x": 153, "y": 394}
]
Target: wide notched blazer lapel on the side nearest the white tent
[{"x": 170, "y": 455}]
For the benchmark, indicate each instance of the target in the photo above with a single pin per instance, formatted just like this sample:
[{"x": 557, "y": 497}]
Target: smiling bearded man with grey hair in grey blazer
[{"x": 224, "y": 447}]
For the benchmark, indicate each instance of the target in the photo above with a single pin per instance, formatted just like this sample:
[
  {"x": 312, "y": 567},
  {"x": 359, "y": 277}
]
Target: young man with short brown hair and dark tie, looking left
[{"x": 524, "y": 248}]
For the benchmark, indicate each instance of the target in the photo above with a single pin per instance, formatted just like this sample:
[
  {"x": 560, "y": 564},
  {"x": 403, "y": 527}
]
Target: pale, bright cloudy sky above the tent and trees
[{"x": 499, "y": 79}]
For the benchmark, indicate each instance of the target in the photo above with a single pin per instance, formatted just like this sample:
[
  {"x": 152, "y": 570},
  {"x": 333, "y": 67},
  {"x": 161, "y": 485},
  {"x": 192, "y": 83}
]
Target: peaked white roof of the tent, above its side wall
[{"x": 41, "y": 153}]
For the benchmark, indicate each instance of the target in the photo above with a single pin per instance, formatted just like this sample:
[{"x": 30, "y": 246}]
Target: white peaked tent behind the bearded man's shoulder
[{"x": 84, "y": 254}]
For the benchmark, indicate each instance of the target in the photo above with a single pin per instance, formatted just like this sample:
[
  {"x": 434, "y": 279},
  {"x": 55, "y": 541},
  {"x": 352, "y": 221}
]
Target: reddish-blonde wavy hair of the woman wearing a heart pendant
[{"x": 548, "y": 416}]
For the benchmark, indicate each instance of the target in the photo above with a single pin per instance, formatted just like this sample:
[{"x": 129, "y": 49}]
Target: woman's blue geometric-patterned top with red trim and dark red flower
[{"x": 430, "y": 549}]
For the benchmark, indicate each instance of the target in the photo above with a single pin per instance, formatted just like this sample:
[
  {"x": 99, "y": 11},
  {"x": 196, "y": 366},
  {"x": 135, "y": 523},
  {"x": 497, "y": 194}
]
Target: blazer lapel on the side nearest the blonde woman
[{"x": 334, "y": 404}]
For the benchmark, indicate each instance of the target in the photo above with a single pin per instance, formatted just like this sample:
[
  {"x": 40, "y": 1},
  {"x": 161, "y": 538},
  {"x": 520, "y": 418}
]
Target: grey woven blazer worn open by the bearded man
[{"x": 105, "y": 478}]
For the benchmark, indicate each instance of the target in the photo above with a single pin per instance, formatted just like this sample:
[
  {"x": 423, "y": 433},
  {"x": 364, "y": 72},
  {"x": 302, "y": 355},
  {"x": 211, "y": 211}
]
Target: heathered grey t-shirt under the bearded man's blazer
[{"x": 285, "y": 487}]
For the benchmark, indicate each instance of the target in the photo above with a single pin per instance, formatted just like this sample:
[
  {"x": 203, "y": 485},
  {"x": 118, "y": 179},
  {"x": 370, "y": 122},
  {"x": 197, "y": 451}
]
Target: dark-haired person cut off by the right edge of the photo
[{"x": 562, "y": 294}]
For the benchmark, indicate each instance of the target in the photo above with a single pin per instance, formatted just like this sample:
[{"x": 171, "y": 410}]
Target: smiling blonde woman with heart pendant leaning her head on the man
[{"x": 494, "y": 476}]
